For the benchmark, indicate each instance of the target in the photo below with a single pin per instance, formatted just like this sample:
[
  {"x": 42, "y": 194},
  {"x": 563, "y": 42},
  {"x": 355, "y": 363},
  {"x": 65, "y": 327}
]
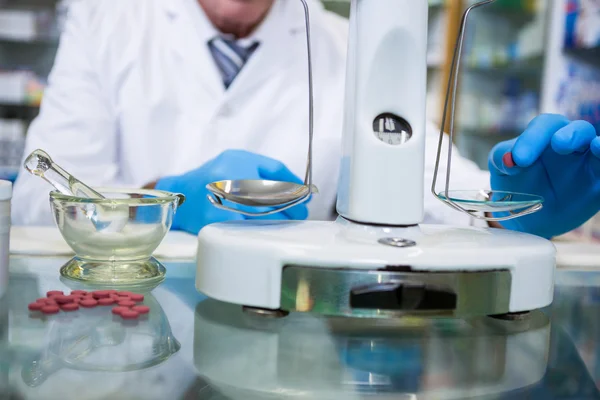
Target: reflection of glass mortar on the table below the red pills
[{"x": 99, "y": 341}]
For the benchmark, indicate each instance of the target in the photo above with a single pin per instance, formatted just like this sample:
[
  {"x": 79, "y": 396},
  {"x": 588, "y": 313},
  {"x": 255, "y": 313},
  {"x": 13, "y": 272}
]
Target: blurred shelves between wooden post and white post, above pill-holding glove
[{"x": 493, "y": 80}]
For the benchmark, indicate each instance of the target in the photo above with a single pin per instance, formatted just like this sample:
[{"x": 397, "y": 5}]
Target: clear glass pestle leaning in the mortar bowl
[{"x": 104, "y": 218}]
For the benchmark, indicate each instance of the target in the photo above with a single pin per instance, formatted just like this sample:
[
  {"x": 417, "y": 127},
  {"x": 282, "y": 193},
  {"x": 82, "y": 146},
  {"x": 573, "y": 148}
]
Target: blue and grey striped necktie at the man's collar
[{"x": 230, "y": 57}]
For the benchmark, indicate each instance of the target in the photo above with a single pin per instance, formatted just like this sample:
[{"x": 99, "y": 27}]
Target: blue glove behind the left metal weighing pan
[{"x": 197, "y": 211}]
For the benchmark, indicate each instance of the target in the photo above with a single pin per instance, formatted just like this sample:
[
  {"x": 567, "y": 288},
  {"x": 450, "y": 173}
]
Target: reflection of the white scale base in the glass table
[{"x": 313, "y": 357}]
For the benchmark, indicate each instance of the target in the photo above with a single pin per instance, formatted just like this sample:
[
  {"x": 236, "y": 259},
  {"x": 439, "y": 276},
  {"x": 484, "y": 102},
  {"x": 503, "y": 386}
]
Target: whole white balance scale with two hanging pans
[{"x": 378, "y": 259}]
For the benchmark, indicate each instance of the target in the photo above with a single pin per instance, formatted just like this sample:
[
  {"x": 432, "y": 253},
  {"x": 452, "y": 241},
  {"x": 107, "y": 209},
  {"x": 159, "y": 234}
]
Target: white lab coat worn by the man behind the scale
[{"x": 135, "y": 95}]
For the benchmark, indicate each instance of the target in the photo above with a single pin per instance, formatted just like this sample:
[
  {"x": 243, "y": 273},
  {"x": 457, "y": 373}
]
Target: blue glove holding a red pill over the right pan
[{"x": 558, "y": 160}]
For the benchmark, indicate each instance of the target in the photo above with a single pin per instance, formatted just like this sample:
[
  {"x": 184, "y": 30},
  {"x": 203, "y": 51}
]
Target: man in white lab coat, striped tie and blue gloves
[{"x": 176, "y": 94}]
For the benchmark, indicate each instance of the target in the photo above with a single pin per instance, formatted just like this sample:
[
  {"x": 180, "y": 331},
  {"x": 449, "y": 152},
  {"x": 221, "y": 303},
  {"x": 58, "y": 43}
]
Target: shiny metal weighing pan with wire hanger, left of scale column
[{"x": 266, "y": 193}]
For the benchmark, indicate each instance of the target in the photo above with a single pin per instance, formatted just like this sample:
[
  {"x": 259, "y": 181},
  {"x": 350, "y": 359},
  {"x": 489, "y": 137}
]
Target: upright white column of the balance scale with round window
[{"x": 382, "y": 167}]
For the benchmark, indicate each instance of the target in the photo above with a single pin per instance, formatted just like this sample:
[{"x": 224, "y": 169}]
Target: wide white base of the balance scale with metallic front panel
[{"x": 319, "y": 266}]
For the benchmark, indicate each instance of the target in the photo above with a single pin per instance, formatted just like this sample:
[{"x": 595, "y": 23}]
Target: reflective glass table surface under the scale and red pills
[{"x": 192, "y": 347}]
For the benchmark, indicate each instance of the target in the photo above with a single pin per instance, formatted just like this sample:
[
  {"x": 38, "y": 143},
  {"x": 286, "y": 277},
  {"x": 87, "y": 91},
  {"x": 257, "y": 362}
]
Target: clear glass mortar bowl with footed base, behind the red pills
[{"x": 119, "y": 254}]
